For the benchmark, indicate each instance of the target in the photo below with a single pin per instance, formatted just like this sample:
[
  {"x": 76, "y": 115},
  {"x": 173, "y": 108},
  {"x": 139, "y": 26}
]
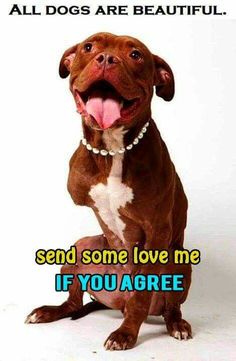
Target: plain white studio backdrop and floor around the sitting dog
[{"x": 39, "y": 132}]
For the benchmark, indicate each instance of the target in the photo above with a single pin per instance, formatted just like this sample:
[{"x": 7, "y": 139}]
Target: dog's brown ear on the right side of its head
[{"x": 163, "y": 79}]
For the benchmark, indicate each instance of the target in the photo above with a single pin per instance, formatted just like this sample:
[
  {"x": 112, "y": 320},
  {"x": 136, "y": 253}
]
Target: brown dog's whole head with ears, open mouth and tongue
[{"x": 112, "y": 79}]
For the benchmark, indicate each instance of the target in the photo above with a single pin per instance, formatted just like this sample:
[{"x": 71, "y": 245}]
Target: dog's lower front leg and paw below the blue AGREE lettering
[{"x": 135, "y": 312}]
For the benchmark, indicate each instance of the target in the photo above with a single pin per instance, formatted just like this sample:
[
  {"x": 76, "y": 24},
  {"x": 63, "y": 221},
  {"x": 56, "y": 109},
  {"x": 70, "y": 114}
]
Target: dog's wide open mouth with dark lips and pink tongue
[{"x": 105, "y": 104}]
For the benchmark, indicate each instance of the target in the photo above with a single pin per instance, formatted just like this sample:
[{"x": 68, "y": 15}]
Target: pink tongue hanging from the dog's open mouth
[{"x": 105, "y": 111}]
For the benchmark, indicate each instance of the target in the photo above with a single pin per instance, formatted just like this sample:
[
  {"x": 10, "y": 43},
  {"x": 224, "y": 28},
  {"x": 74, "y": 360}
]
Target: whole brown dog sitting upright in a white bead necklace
[{"x": 122, "y": 170}]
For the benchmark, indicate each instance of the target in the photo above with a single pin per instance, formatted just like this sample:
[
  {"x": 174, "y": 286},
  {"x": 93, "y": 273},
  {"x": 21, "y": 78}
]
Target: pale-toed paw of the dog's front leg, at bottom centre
[{"x": 120, "y": 340}]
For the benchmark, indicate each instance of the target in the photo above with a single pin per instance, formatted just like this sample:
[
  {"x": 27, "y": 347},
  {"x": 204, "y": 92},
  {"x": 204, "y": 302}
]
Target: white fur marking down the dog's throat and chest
[{"x": 108, "y": 198}]
